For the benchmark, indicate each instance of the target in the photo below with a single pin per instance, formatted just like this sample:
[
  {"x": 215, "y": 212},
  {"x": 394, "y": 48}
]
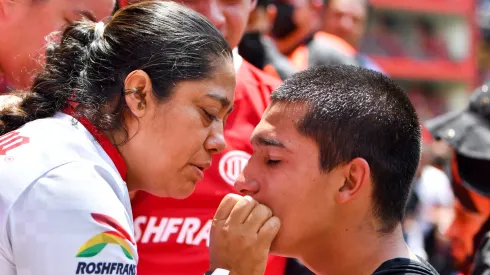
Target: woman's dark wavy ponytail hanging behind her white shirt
[{"x": 57, "y": 83}]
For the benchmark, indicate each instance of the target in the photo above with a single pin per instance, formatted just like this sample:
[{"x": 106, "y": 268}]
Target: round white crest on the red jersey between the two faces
[{"x": 232, "y": 164}]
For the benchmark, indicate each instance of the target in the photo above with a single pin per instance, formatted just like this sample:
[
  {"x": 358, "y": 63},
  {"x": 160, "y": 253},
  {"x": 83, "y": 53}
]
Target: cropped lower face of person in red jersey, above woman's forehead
[{"x": 229, "y": 16}]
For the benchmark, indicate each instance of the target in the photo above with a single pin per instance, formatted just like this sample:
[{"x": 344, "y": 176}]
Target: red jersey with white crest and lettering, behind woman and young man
[{"x": 172, "y": 235}]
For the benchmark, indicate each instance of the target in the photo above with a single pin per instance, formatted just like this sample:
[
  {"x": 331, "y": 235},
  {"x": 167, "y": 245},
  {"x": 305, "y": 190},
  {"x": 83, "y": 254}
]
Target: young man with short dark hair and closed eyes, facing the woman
[{"x": 334, "y": 158}]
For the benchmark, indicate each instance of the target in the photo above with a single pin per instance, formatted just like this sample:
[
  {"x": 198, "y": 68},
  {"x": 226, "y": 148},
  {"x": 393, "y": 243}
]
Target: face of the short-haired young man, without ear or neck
[{"x": 284, "y": 174}]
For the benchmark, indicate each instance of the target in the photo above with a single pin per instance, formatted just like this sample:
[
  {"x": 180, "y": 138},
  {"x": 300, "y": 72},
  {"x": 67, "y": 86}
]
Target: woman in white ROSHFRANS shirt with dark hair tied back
[{"x": 138, "y": 103}]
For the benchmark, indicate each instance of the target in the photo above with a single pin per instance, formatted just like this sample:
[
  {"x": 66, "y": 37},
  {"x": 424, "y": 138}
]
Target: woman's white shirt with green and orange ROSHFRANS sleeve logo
[{"x": 49, "y": 189}]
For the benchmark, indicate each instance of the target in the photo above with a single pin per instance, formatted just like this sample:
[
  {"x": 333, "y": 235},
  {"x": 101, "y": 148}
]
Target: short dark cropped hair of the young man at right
[{"x": 355, "y": 112}]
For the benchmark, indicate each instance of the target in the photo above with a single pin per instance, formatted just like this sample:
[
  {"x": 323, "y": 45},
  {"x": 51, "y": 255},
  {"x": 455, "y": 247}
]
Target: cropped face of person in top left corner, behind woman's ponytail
[{"x": 25, "y": 24}]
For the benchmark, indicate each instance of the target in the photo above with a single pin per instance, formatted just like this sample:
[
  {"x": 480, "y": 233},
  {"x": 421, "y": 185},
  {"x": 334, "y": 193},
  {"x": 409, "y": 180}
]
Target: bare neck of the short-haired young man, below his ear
[{"x": 355, "y": 252}]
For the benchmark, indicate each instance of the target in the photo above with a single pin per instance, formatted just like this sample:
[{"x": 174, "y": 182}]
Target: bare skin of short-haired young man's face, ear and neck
[{"x": 284, "y": 174}]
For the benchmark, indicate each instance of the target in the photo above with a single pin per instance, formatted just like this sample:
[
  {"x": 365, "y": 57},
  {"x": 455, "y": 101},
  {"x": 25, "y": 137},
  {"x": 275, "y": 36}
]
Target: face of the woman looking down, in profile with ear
[{"x": 171, "y": 142}]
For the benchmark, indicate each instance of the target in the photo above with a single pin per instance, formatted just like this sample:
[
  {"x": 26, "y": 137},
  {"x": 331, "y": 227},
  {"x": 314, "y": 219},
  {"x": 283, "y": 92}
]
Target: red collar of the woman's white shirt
[{"x": 104, "y": 142}]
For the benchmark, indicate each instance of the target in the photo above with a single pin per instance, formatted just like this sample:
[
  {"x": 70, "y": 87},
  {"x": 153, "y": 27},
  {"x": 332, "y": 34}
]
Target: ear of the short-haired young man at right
[{"x": 357, "y": 174}]
